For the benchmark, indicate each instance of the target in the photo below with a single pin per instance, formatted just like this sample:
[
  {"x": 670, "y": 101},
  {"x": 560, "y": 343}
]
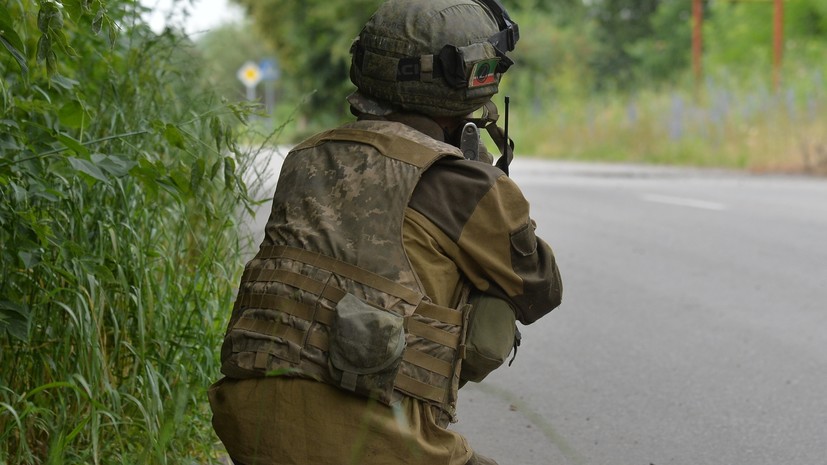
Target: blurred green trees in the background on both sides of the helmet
[{"x": 568, "y": 48}]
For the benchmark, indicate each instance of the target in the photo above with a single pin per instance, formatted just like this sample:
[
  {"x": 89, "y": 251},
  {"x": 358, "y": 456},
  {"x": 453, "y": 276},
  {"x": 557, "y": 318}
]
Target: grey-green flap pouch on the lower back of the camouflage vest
[{"x": 366, "y": 346}]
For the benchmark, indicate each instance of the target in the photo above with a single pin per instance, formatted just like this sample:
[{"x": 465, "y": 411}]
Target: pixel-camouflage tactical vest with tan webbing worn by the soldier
[{"x": 331, "y": 294}]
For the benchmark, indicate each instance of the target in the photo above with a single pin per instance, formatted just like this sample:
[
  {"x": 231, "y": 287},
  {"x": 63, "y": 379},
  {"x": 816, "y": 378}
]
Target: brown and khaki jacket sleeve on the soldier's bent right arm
[{"x": 486, "y": 217}]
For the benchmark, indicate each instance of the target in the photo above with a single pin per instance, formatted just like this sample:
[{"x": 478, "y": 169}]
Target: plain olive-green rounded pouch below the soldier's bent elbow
[{"x": 492, "y": 333}]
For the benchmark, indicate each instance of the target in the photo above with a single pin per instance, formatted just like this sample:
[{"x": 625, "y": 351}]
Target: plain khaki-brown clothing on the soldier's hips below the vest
[{"x": 271, "y": 421}]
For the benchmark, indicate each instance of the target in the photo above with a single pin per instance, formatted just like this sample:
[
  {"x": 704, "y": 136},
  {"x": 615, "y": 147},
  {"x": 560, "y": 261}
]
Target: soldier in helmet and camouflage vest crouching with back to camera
[{"x": 393, "y": 268}]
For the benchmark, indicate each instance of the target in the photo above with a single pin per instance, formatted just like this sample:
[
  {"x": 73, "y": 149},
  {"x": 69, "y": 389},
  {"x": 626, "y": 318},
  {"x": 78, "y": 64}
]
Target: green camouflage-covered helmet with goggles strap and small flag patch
[{"x": 436, "y": 57}]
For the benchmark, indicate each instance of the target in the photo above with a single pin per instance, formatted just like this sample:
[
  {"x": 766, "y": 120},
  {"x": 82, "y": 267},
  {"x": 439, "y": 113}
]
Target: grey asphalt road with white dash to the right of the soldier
[{"x": 693, "y": 328}]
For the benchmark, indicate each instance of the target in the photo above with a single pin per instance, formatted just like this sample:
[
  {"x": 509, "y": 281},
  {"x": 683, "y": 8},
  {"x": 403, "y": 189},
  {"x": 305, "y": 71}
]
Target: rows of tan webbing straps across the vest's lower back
[{"x": 416, "y": 323}]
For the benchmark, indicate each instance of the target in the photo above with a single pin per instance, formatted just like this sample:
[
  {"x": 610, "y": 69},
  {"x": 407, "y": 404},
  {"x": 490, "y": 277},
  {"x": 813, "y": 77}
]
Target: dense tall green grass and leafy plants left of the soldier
[{"x": 119, "y": 191}]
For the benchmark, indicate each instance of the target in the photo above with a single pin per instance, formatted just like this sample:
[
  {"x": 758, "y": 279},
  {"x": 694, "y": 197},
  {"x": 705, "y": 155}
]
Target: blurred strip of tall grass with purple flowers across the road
[{"x": 722, "y": 125}]
